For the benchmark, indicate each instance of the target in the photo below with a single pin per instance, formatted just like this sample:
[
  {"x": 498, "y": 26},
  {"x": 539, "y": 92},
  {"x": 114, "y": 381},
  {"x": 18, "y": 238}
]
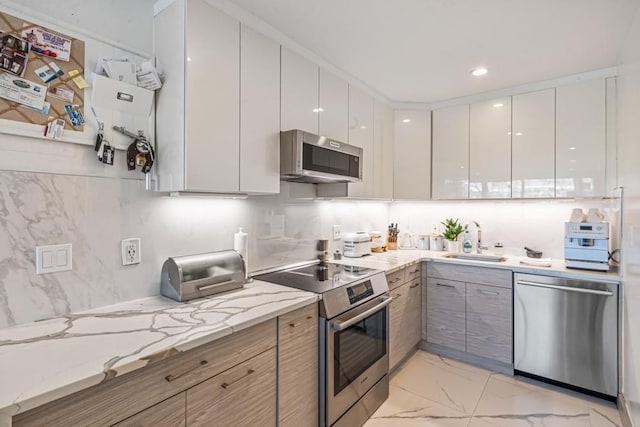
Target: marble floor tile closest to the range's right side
[{"x": 444, "y": 381}]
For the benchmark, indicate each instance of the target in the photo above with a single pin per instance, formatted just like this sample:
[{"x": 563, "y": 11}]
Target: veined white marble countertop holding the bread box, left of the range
[{"x": 46, "y": 360}]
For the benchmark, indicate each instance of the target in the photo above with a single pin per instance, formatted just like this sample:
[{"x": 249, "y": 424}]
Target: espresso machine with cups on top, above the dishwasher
[{"x": 586, "y": 245}]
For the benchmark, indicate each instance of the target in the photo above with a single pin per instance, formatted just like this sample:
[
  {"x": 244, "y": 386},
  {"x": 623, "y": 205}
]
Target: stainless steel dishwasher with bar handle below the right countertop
[{"x": 567, "y": 331}]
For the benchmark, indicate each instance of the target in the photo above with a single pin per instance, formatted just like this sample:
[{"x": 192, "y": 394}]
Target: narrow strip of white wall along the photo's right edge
[{"x": 629, "y": 176}]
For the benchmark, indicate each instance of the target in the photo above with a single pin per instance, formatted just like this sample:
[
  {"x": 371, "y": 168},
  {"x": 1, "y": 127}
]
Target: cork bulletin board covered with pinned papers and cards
[{"x": 41, "y": 75}]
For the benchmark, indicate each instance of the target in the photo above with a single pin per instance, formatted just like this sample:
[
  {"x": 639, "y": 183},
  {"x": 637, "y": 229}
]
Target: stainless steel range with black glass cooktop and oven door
[{"x": 354, "y": 337}]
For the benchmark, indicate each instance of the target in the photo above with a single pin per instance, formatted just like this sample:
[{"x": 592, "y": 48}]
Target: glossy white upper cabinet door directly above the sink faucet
[{"x": 490, "y": 149}]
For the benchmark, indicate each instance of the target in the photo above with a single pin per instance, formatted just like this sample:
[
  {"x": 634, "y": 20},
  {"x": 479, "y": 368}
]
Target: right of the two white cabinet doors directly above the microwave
[{"x": 333, "y": 106}]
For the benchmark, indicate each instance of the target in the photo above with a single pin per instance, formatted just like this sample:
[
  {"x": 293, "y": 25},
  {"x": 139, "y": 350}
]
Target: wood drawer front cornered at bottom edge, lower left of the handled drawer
[{"x": 170, "y": 413}]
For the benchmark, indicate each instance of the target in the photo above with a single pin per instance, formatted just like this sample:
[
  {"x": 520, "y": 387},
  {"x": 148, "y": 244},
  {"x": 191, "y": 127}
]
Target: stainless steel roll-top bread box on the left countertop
[{"x": 195, "y": 276}]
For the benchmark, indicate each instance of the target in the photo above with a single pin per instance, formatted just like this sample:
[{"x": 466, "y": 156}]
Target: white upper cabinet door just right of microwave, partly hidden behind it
[{"x": 361, "y": 135}]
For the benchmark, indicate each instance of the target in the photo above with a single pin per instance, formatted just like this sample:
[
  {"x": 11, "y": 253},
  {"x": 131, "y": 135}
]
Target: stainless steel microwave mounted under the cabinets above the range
[{"x": 305, "y": 157}]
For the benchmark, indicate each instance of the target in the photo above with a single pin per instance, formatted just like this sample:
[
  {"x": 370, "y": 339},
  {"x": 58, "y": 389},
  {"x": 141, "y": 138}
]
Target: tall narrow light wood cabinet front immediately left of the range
[{"x": 298, "y": 368}]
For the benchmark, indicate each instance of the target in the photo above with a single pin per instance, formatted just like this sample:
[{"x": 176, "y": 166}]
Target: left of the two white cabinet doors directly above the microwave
[{"x": 299, "y": 96}]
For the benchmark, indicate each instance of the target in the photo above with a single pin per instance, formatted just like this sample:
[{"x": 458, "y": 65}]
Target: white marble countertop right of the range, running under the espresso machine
[{"x": 391, "y": 261}]
